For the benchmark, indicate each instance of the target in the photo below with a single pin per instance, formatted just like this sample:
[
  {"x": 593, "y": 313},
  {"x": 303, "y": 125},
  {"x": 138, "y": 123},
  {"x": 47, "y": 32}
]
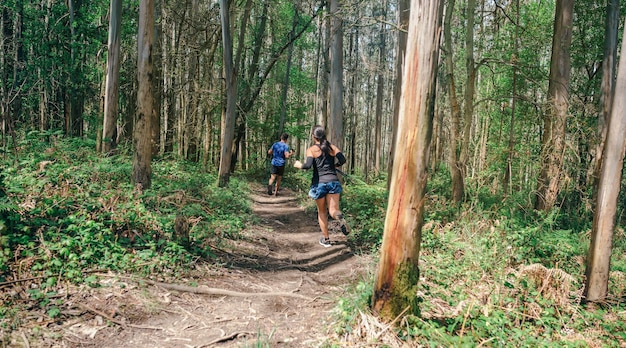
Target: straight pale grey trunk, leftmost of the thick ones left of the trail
[{"x": 111, "y": 92}]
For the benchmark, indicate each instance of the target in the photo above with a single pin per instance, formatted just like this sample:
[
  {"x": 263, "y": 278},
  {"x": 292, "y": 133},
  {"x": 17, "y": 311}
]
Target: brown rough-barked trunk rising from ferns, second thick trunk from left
[{"x": 142, "y": 167}]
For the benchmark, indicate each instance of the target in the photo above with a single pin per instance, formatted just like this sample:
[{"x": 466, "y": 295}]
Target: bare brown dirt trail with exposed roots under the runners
[{"x": 275, "y": 286}]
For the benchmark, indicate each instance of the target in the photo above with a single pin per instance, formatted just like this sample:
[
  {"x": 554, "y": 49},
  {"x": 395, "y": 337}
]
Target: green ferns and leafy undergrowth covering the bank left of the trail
[{"x": 67, "y": 212}]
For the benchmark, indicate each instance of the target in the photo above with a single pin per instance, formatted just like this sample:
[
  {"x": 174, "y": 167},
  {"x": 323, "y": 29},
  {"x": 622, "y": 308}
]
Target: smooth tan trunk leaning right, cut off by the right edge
[{"x": 599, "y": 257}]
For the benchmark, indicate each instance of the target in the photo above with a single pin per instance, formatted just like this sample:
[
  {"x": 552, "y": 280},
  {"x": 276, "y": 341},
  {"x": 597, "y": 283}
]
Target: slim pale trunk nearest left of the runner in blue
[{"x": 229, "y": 113}]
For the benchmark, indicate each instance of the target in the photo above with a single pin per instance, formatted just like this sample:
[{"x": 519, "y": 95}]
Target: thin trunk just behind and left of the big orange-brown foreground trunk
[{"x": 403, "y": 23}]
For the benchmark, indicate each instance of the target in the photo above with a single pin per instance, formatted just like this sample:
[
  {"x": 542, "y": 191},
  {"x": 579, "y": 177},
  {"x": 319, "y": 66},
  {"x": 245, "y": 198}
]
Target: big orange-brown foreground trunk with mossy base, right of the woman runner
[{"x": 395, "y": 288}]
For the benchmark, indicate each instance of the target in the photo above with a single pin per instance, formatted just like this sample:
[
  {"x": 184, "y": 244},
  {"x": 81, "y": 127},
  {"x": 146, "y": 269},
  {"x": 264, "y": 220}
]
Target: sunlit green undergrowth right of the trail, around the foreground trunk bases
[{"x": 490, "y": 275}]
